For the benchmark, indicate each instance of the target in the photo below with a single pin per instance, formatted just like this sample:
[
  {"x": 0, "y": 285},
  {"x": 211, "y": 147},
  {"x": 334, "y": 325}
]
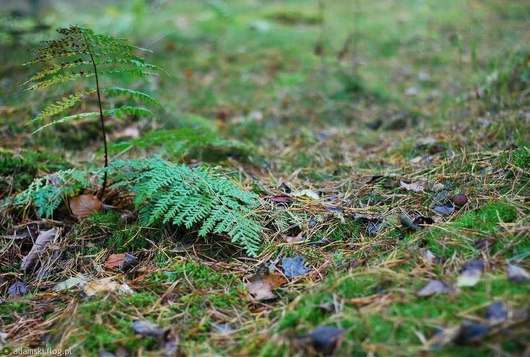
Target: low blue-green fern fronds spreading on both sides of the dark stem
[{"x": 164, "y": 193}]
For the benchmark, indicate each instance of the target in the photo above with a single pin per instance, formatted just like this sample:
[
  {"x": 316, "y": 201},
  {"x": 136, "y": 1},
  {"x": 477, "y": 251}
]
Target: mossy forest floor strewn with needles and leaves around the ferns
[{"x": 388, "y": 143}]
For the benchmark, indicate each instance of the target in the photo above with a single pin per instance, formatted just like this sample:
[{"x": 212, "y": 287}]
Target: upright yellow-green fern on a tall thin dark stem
[{"x": 81, "y": 54}]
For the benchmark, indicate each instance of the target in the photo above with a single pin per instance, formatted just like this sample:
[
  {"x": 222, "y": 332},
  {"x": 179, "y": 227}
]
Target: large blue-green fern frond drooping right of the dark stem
[{"x": 192, "y": 197}]
